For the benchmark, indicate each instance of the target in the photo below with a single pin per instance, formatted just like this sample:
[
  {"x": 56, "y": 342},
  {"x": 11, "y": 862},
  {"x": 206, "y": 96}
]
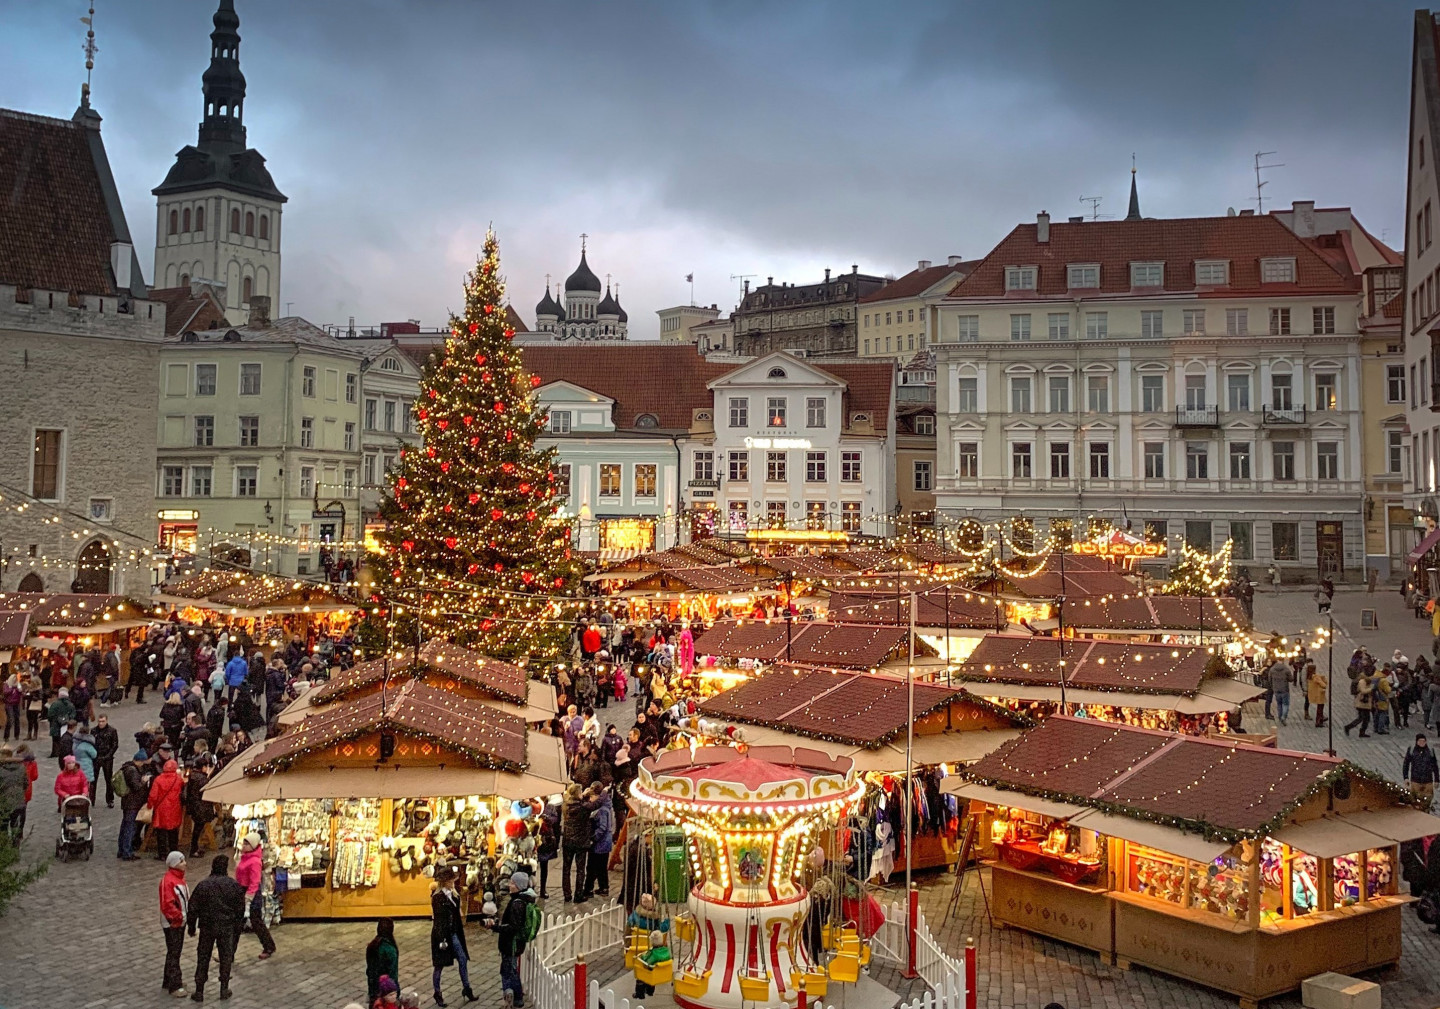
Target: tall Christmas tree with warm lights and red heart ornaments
[{"x": 473, "y": 542}]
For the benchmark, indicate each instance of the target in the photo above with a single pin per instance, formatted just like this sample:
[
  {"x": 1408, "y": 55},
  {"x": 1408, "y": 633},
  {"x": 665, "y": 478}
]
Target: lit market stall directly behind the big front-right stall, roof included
[{"x": 1179, "y": 689}]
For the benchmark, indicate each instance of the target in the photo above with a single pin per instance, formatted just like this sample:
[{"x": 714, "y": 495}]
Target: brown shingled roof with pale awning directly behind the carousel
[{"x": 865, "y": 710}]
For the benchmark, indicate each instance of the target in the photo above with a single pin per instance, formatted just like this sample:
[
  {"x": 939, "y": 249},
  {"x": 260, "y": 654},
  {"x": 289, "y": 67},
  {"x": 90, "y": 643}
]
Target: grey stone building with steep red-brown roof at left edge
[{"x": 80, "y": 343}]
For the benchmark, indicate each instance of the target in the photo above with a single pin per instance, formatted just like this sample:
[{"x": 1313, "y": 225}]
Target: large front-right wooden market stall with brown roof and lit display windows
[{"x": 1239, "y": 867}]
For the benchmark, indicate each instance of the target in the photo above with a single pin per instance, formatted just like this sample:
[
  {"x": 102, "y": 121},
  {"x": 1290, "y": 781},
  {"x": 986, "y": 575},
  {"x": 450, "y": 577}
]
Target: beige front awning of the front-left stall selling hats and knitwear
[{"x": 545, "y": 777}]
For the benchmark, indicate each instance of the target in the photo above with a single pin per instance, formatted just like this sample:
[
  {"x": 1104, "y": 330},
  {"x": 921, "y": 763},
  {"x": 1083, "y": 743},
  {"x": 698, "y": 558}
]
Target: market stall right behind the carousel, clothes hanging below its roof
[{"x": 863, "y": 719}]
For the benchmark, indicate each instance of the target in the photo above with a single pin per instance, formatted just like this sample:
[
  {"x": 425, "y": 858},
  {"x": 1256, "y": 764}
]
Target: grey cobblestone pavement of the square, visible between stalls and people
[{"x": 89, "y": 933}]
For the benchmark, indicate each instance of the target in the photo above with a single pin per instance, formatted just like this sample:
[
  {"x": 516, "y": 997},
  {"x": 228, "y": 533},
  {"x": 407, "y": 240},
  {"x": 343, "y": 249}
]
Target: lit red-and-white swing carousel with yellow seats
[{"x": 757, "y": 825}]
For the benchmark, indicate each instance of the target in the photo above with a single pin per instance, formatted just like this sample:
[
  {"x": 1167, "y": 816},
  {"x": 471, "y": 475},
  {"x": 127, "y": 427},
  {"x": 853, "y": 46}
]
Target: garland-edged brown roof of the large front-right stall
[{"x": 1219, "y": 789}]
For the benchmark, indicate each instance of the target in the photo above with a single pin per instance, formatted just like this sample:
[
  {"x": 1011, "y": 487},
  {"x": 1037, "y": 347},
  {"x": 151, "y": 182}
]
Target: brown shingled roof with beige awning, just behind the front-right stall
[{"x": 1128, "y": 674}]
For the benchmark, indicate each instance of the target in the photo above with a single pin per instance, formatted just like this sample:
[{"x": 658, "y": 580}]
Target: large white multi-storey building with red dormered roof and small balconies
[{"x": 1199, "y": 379}]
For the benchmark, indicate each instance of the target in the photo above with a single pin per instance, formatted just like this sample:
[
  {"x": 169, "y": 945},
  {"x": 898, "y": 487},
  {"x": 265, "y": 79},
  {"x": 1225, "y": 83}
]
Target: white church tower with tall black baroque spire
[{"x": 218, "y": 211}]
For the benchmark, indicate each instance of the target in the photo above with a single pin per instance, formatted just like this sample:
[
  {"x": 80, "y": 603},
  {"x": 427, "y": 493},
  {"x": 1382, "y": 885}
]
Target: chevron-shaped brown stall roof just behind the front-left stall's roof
[{"x": 443, "y": 666}]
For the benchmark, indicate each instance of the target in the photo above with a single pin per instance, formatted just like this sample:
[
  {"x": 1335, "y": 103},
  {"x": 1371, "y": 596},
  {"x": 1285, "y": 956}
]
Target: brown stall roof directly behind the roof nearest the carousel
[{"x": 810, "y": 643}]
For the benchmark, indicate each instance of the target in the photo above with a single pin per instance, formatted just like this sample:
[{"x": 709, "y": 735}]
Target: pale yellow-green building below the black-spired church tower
[{"x": 260, "y": 444}]
